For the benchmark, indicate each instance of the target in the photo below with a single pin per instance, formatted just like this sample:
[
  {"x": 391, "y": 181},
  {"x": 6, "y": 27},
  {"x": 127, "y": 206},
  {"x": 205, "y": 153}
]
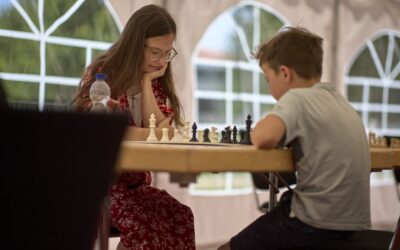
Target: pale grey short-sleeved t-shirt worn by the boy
[{"x": 332, "y": 157}]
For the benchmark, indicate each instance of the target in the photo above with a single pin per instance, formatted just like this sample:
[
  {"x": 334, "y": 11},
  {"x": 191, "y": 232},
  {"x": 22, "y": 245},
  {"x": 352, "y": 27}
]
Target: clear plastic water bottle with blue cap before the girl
[{"x": 99, "y": 93}]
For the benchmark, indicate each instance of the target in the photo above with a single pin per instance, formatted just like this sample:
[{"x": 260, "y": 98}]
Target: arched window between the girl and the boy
[{"x": 229, "y": 84}]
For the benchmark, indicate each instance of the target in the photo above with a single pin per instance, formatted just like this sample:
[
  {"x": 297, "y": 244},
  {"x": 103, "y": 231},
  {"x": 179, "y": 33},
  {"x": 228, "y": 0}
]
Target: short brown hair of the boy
[{"x": 296, "y": 48}]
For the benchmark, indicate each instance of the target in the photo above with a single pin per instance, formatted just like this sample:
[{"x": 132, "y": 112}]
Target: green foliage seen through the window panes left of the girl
[{"x": 91, "y": 22}]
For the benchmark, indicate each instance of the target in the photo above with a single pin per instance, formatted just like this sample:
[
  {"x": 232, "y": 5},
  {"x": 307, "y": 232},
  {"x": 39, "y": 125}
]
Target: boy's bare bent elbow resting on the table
[{"x": 268, "y": 132}]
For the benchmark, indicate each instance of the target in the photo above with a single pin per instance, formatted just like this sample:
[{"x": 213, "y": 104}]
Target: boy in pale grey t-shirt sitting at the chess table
[{"x": 329, "y": 144}]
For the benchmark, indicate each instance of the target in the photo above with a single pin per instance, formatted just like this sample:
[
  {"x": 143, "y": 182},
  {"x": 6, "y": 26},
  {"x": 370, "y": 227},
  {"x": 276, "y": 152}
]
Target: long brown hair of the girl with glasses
[{"x": 123, "y": 61}]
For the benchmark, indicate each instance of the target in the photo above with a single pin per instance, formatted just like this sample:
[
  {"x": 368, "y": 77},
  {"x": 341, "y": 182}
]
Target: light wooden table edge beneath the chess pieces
[{"x": 196, "y": 158}]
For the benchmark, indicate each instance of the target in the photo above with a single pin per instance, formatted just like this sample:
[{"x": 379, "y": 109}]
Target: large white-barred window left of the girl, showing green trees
[{"x": 46, "y": 45}]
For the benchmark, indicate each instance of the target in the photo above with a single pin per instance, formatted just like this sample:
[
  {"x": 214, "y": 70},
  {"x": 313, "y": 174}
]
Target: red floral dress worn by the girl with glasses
[{"x": 149, "y": 218}]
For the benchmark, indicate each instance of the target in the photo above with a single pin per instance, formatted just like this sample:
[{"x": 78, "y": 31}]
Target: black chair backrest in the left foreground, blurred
[{"x": 55, "y": 171}]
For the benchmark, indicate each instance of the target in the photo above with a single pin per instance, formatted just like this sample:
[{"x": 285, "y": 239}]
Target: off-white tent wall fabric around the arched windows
[{"x": 346, "y": 26}]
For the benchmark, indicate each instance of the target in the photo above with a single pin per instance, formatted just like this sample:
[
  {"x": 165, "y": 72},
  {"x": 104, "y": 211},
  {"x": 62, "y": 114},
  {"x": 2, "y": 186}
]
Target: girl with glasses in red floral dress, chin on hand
[{"x": 140, "y": 79}]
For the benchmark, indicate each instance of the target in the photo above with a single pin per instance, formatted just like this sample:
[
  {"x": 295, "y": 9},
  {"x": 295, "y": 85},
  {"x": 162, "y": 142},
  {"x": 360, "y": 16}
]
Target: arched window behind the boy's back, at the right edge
[{"x": 373, "y": 86}]
